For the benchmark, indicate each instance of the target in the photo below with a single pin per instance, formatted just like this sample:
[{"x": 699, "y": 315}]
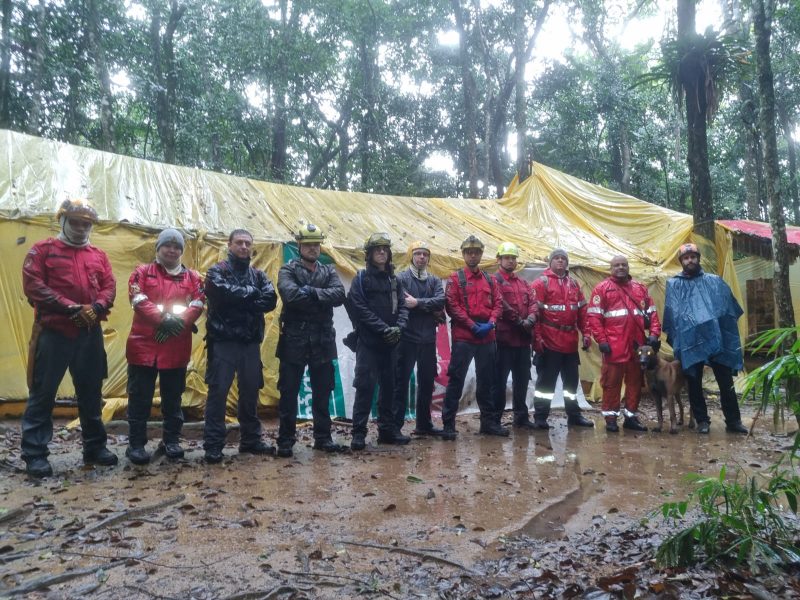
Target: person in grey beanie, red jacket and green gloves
[{"x": 167, "y": 298}]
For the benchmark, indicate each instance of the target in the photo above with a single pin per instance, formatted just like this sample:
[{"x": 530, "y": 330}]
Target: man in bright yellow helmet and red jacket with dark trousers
[{"x": 514, "y": 334}]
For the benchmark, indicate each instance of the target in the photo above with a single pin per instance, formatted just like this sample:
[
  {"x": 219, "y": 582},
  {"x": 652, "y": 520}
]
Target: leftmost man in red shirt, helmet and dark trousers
[{"x": 71, "y": 287}]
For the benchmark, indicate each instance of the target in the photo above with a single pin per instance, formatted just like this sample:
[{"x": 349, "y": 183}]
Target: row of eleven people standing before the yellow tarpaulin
[{"x": 495, "y": 321}]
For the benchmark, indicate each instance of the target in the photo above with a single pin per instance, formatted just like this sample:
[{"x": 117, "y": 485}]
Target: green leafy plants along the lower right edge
[{"x": 743, "y": 519}]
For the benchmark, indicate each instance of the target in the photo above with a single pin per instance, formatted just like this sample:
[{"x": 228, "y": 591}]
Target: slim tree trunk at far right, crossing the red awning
[{"x": 762, "y": 24}]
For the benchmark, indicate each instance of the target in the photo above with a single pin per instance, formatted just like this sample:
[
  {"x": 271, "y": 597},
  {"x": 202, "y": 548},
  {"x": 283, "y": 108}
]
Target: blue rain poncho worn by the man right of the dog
[{"x": 700, "y": 315}]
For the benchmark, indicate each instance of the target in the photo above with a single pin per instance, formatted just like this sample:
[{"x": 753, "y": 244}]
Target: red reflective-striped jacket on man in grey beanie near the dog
[{"x": 562, "y": 312}]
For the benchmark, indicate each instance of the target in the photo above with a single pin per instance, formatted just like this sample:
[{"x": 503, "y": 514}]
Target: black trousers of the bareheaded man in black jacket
[{"x": 226, "y": 359}]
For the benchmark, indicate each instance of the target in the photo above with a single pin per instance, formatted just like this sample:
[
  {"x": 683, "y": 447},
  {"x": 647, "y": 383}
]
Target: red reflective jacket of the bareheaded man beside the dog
[{"x": 616, "y": 317}]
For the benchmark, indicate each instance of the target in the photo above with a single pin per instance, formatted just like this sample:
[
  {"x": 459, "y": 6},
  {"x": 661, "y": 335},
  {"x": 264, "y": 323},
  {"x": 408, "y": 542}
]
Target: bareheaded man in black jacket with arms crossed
[{"x": 238, "y": 296}]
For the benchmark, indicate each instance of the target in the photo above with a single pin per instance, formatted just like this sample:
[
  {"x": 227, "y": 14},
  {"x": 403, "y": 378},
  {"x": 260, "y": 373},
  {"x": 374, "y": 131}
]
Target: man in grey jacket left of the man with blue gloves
[{"x": 424, "y": 296}]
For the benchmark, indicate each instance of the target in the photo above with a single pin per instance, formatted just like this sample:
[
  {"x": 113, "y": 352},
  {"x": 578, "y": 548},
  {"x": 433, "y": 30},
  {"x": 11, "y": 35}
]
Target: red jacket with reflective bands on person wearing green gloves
[{"x": 152, "y": 291}]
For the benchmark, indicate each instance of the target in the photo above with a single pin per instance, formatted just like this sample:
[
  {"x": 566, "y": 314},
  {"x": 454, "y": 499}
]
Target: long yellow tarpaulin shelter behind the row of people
[{"x": 136, "y": 198}]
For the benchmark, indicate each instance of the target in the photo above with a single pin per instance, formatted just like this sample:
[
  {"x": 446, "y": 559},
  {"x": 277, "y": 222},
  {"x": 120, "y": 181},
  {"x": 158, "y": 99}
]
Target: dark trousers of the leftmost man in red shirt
[{"x": 85, "y": 357}]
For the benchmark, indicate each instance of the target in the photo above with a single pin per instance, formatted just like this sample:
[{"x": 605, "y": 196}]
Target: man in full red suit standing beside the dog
[{"x": 621, "y": 312}]
